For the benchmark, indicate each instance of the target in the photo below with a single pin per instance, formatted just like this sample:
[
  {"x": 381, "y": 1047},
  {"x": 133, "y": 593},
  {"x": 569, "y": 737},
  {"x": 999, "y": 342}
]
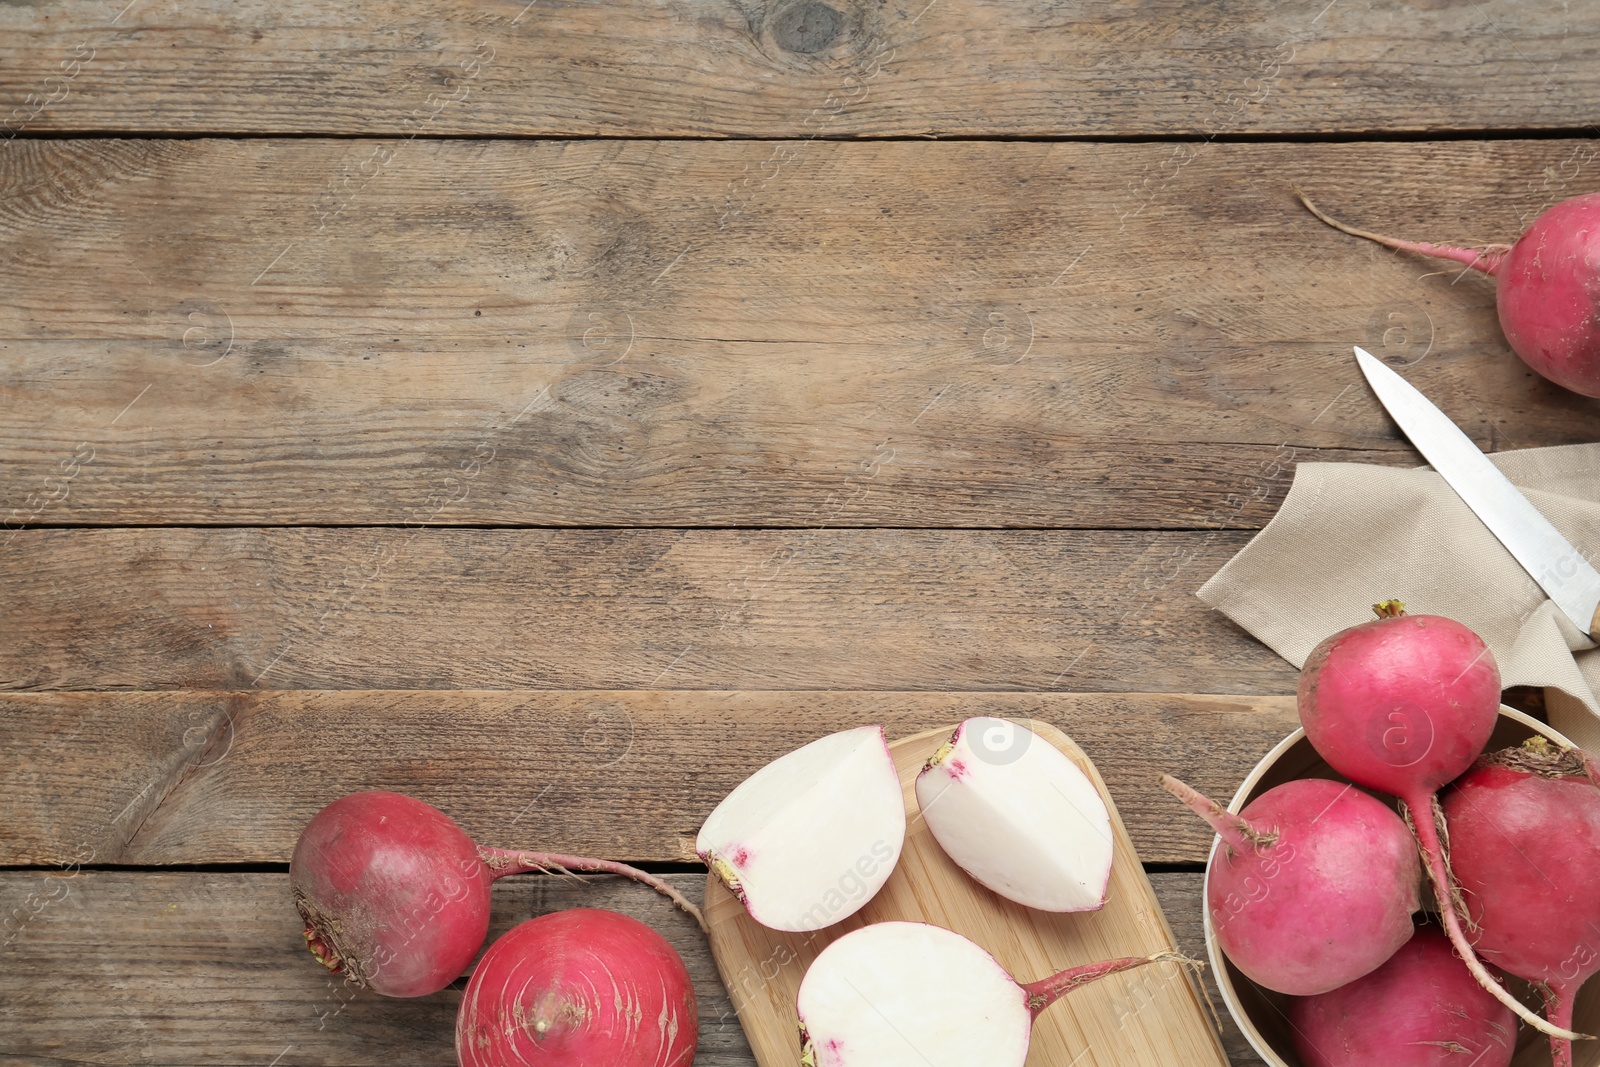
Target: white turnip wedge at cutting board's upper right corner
[{"x": 1018, "y": 817}]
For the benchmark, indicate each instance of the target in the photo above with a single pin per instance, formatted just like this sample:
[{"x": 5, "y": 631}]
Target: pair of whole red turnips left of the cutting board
[{"x": 396, "y": 898}]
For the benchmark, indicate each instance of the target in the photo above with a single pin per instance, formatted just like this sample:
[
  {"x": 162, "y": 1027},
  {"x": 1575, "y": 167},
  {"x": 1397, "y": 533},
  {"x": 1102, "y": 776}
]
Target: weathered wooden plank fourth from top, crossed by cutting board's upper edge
[{"x": 204, "y": 778}]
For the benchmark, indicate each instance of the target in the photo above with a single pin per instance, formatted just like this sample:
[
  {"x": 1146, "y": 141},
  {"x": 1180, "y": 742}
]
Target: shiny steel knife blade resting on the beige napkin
[{"x": 1551, "y": 559}]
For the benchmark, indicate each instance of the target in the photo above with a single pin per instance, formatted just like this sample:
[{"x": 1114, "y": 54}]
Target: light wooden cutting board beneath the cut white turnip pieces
[{"x": 1153, "y": 1017}]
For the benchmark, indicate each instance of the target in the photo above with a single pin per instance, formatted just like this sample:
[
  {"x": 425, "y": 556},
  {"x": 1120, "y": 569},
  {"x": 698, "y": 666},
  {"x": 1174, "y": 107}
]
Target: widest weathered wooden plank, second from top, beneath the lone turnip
[{"x": 671, "y": 334}]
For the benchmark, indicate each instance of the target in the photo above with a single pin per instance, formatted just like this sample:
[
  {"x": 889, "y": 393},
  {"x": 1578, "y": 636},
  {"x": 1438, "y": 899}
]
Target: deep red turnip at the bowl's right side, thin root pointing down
[{"x": 1526, "y": 850}]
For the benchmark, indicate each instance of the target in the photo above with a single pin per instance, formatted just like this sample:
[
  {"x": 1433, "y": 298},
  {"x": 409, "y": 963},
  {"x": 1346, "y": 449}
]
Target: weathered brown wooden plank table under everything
[{"x": 558, "y": 410}]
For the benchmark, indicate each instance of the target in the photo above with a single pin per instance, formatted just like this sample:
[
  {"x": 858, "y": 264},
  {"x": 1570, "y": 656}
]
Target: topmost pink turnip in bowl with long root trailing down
[{"x": 1404, "y": 706}]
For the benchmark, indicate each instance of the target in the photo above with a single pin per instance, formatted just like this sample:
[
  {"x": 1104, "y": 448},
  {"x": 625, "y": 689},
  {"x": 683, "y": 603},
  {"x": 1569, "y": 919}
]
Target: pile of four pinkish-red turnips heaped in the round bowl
[{"x": 1314, "y": 884}]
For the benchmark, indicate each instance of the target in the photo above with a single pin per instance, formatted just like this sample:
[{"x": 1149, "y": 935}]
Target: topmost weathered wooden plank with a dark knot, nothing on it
[{"x": 796, "y": 68}]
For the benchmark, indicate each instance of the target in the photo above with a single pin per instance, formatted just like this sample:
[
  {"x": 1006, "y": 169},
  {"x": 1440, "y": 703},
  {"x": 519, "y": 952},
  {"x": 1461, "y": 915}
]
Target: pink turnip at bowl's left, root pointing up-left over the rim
[{"x": 1314, "y": 887}]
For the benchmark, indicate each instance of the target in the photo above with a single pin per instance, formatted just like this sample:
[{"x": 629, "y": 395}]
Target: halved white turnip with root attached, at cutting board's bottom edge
[{"x": 919, "y": 996}]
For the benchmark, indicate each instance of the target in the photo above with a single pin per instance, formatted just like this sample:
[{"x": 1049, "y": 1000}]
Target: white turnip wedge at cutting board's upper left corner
[{"x": 814, "y": 836}]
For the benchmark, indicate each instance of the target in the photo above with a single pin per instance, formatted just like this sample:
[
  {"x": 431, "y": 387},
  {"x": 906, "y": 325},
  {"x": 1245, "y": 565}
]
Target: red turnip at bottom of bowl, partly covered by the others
[{"x": 1422, "y": 1009}]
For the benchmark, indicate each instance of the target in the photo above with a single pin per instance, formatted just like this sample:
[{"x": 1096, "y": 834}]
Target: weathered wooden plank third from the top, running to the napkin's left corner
[{"x": 623, "y": 610}]
